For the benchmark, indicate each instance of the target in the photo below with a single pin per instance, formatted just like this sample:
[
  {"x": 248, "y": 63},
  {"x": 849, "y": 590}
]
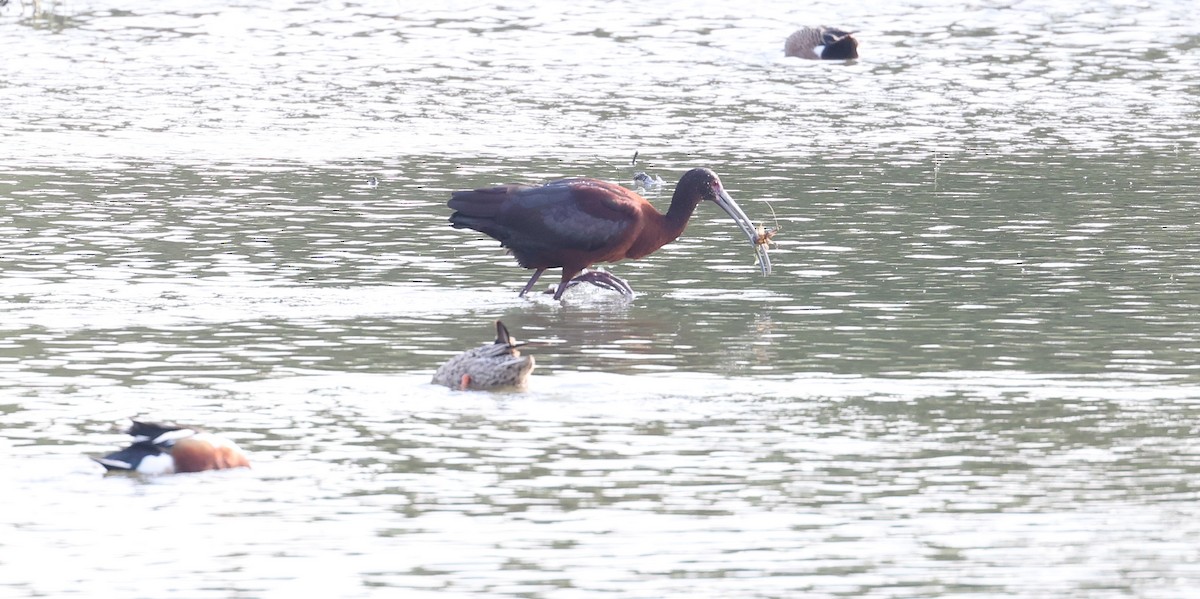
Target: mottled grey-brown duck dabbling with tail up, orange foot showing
[{"x": 497, "y": 366}]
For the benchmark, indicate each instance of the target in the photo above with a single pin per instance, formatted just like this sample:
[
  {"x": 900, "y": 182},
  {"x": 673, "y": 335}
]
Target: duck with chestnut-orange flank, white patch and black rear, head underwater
[{"x": 165, "y": 450}]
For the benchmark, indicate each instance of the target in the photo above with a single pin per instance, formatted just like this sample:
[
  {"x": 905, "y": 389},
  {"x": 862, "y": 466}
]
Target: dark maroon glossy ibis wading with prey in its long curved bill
[{"x": 574, "y": 224}]
